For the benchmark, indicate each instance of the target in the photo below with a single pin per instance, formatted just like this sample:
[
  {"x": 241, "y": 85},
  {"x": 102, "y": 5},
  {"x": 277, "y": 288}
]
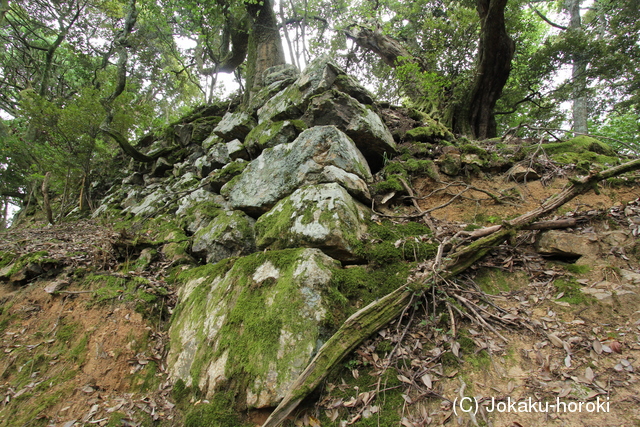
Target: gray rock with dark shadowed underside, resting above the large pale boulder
[{"x": 359, "y": 123}]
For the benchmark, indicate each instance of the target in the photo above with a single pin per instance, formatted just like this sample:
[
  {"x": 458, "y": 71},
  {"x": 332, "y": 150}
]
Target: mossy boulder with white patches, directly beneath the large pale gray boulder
[{"x": 322, "y": 216}]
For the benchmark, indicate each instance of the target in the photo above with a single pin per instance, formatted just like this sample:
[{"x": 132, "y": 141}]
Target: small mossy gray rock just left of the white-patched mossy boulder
[{"x": 229, "y": 234}]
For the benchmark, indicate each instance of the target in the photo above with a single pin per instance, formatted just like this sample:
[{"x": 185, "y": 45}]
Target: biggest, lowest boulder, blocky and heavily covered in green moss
[{"x": 250, "y": 325}]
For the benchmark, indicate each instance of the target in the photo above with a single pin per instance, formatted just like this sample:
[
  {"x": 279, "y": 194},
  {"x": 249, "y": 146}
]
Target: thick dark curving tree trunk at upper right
[{"x": 495, "y": 52}]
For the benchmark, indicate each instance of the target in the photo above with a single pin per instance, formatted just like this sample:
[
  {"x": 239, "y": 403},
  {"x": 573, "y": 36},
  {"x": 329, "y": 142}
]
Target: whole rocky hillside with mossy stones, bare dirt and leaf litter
[{"x": 205, "y": 282}]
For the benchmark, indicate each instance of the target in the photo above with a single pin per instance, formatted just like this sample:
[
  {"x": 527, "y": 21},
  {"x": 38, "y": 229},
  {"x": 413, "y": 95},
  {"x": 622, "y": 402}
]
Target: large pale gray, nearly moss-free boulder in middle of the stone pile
[{"x": 319, "y": 155}]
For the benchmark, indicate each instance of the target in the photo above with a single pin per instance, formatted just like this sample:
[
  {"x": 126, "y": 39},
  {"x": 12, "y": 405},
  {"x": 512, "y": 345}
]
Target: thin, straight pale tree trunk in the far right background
[{"x": 578, "y": 72}]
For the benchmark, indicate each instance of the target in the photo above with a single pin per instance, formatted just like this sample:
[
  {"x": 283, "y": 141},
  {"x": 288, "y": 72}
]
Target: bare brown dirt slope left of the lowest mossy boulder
[{"x": 109, "y": 371}]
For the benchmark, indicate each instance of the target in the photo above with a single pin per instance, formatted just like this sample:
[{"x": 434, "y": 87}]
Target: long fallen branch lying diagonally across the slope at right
[{"x": 376, "y": 315}]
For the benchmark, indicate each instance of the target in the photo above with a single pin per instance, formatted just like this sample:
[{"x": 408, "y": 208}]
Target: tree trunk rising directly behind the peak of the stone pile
[{"x": 265, "y": 45}]
